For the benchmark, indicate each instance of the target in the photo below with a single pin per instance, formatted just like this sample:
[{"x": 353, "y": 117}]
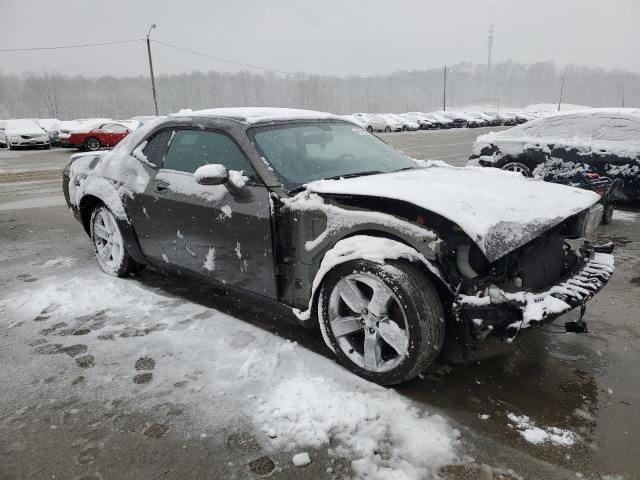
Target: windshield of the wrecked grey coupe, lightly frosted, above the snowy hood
[{"x": 301, "y": 153}]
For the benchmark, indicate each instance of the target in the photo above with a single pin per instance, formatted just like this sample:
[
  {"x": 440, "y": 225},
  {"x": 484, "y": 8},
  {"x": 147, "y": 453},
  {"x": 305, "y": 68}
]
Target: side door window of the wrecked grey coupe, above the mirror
[{"x": 191, "y": 149}]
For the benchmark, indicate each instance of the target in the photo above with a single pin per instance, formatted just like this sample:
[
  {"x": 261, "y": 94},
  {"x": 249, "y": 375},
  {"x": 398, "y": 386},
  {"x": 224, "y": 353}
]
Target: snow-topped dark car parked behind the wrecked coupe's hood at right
[{"x": 603, "y": 141}]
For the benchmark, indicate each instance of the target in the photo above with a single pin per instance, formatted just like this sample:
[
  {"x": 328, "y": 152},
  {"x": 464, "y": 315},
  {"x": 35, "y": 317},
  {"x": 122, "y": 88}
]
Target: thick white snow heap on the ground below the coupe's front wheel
[{"x": 387, "y": 435}]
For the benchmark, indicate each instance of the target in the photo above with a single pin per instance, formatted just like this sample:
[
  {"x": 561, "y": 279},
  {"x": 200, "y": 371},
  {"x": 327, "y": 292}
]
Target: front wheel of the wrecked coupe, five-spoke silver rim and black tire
[{"x": 384, "y": 322}]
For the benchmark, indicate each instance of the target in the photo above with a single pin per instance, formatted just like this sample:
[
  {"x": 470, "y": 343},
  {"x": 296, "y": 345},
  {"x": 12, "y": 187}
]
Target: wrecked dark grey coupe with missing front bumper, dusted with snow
[{"x": 381, "y": 252}]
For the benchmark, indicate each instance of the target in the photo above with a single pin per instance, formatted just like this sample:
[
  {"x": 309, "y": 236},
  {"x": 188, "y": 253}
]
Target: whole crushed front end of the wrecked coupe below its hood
[{"x": 532, "y": 285}]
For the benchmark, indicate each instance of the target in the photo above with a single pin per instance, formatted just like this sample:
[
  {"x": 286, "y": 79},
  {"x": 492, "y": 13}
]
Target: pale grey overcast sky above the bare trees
[{"x": 319, "y": 36}]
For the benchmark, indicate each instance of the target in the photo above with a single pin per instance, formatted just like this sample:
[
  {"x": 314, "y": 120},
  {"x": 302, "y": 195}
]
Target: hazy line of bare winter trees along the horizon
[{"x": 507, "y": 85}]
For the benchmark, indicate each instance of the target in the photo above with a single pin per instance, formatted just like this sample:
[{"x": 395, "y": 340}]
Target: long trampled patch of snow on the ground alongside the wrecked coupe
[{"x": 228, "y": 369}]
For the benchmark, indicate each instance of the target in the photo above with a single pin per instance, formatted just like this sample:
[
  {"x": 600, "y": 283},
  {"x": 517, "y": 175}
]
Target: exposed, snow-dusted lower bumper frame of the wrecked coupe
[{"x": 495, "y": 311}]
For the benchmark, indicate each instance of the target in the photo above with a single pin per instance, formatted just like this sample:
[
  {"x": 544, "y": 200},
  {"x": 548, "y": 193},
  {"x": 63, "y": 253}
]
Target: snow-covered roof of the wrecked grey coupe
[{"x": 253, "y": 115}]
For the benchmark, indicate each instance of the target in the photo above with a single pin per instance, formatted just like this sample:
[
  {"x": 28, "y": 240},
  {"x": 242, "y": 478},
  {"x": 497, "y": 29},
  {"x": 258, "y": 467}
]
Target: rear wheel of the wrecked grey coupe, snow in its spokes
[{"x": 108, "y": 243}]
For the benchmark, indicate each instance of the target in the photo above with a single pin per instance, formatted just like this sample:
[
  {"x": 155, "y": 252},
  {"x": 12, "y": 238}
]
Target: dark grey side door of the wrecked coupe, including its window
[{"x": 206, "y": 229}]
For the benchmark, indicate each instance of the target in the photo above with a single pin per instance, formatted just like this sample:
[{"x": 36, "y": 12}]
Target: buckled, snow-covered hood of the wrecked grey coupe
[{"x": 500, "y": 211}]
